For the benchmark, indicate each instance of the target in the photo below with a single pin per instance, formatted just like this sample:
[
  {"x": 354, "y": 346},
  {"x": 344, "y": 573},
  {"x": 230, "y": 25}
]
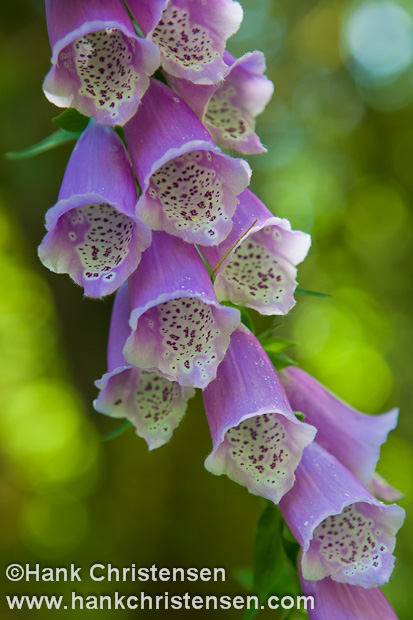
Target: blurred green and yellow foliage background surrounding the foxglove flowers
[{"x": 339, "y": 133}]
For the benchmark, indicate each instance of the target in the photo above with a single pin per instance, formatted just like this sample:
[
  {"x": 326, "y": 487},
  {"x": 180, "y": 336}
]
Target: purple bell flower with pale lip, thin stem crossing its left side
[{"x": 259, "y": 272}]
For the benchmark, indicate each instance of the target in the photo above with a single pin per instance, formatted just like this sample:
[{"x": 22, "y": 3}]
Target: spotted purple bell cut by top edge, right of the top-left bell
[{"x": 191, "y": 36}]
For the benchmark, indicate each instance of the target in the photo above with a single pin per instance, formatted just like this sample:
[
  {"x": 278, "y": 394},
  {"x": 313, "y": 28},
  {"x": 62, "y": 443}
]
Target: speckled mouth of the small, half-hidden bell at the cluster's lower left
[{"x": 154, "y": 405}]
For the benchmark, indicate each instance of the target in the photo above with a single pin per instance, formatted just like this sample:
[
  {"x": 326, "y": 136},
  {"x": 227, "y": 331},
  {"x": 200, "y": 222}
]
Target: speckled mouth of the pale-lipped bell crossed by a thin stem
[{"x": 258, "y": 275}]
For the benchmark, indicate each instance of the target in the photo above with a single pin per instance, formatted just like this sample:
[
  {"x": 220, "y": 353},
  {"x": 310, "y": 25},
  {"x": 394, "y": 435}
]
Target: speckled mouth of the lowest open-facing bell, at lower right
[{"x": 355, "y": 546}]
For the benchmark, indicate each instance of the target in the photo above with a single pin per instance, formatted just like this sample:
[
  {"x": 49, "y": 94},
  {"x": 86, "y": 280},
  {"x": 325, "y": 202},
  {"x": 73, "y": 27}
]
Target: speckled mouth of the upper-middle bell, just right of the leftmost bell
[{"x": 190, "y": 195}]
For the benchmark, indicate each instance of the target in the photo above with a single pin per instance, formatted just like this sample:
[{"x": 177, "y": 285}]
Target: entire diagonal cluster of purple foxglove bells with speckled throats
[{"x": 185, "y": 252}]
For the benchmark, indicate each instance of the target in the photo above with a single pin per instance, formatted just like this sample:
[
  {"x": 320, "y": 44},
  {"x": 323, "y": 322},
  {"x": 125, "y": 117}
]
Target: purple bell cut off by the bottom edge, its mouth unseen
[{"x": 340, "y": 601}]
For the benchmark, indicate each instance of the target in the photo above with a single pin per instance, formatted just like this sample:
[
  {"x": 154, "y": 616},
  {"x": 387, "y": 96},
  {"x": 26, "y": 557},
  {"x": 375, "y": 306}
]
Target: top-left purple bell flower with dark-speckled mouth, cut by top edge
[{"x": 99, "y": 64}]
